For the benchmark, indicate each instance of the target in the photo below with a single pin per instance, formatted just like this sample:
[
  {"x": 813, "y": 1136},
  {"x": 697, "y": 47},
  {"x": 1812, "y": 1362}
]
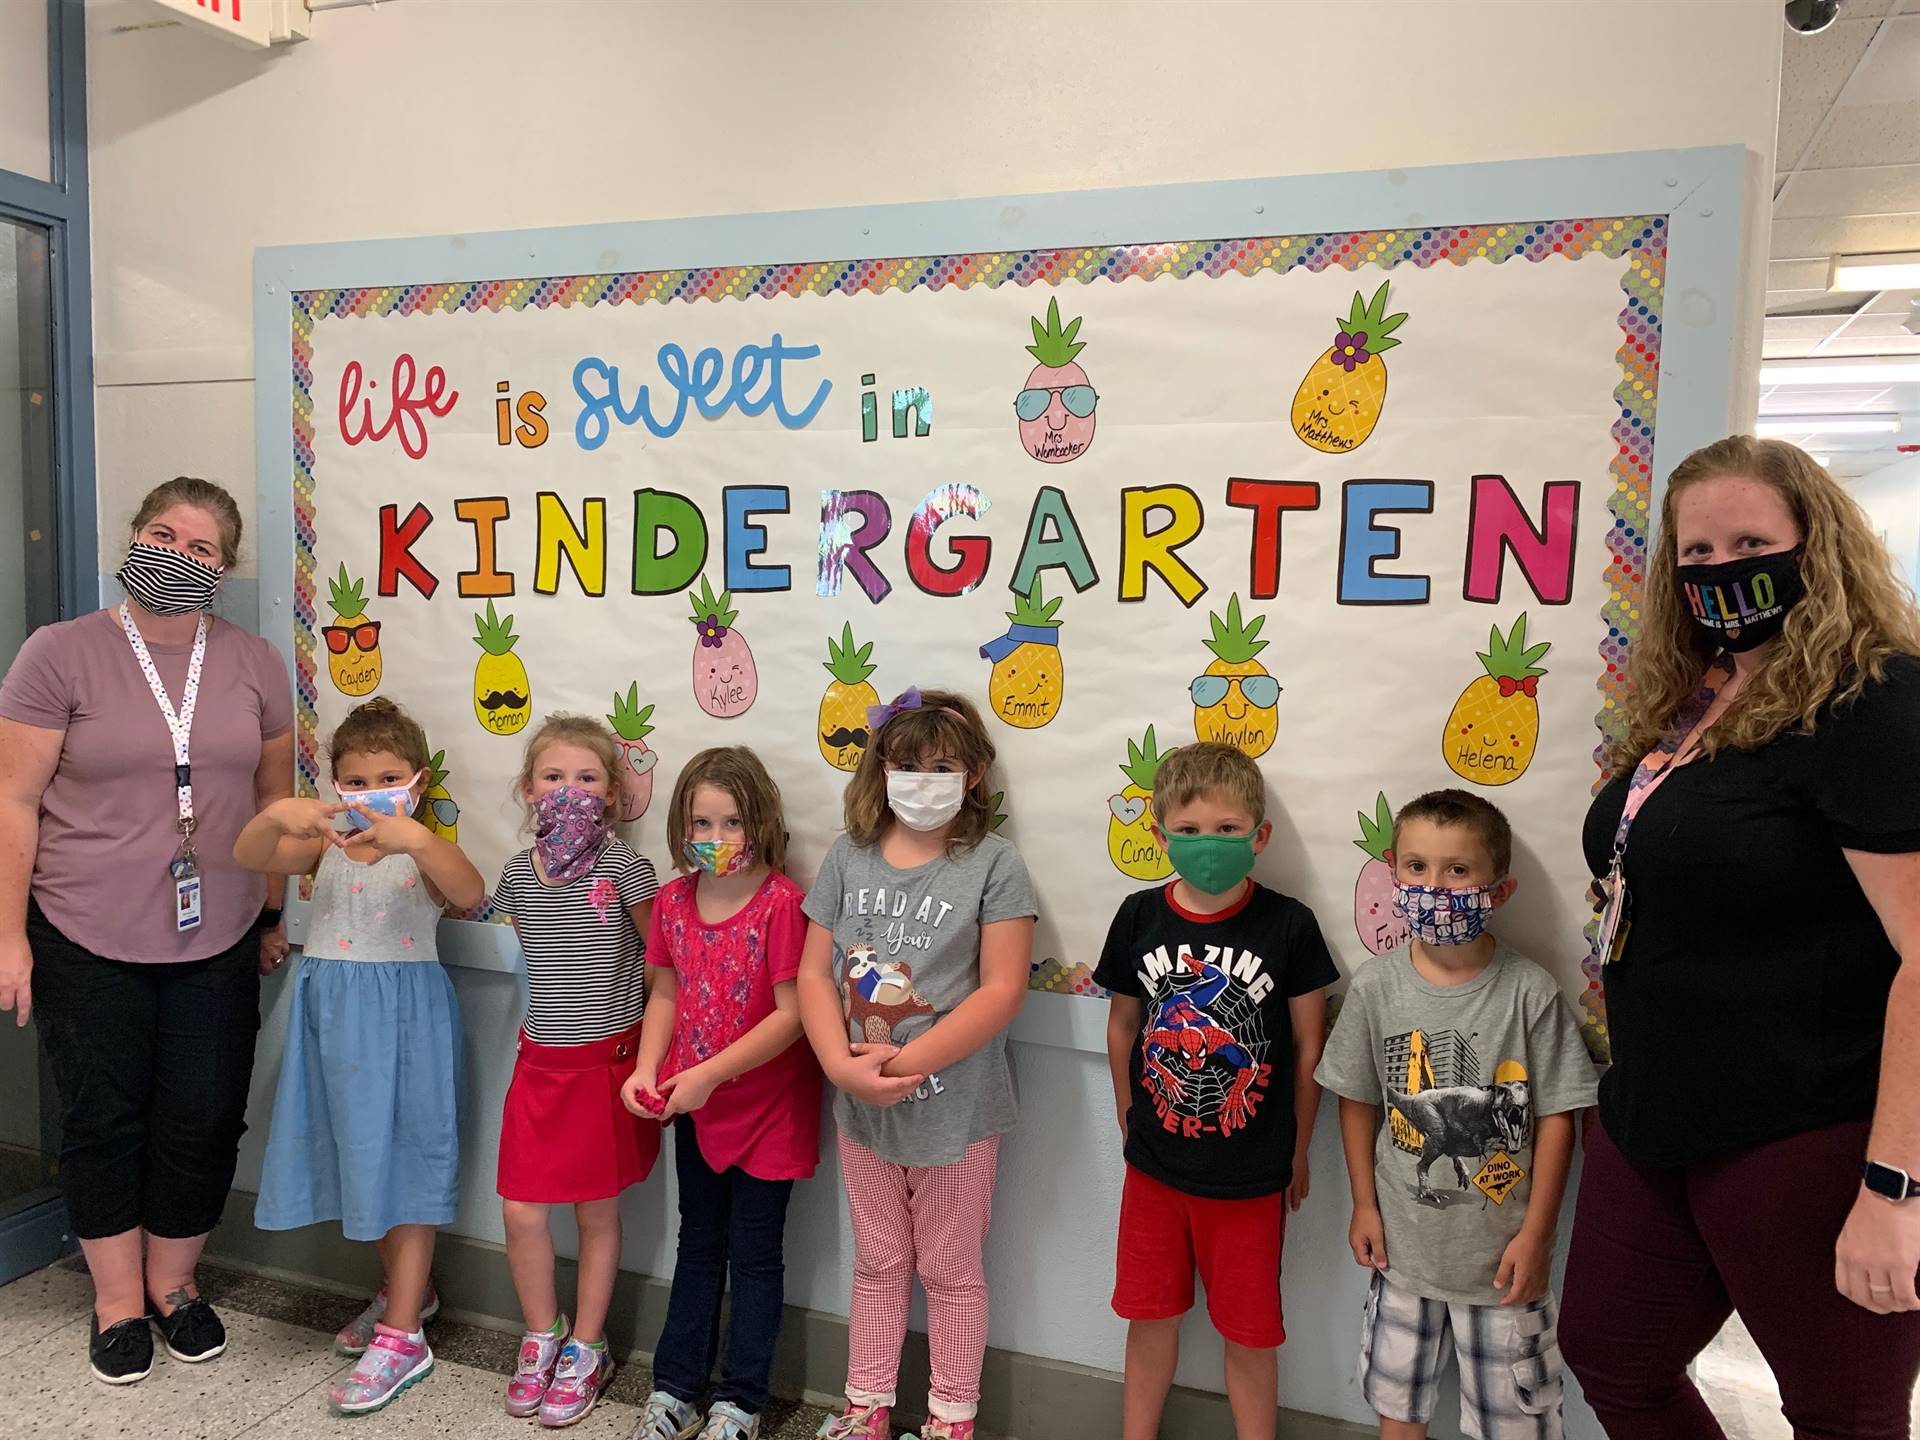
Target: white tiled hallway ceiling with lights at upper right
[{"x": 1848, "y": 183}]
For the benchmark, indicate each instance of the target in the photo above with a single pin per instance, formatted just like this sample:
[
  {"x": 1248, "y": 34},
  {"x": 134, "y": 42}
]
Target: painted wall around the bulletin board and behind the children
[{"x": 431, "y": 118}]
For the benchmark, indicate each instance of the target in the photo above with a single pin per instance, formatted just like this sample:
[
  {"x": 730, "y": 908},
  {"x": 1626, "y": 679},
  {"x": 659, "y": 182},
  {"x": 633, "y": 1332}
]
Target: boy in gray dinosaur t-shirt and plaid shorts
[{"x": 1479, "y": 1067}]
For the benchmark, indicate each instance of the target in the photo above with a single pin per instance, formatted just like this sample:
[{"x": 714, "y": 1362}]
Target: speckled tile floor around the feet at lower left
[{"x": 274, "y": 1380}]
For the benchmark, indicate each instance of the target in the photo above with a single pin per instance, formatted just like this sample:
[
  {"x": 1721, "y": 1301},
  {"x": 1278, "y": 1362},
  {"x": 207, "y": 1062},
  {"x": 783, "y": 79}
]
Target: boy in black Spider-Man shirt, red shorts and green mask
[{"x": 1218, "y": 1020}]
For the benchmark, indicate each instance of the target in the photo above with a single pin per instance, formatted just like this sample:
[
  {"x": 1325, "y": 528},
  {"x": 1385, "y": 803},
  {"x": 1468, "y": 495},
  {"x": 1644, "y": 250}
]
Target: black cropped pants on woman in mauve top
[{"x": 153, "y": 1065}]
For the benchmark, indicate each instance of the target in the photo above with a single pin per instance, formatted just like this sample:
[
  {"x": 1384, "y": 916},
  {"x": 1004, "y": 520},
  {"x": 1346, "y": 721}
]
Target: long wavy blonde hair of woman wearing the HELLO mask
[{"x": 1836, "y": 640}]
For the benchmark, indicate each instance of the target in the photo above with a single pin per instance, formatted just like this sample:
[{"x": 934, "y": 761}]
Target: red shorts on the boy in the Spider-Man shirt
[{"x": 1164, "y": 1236}]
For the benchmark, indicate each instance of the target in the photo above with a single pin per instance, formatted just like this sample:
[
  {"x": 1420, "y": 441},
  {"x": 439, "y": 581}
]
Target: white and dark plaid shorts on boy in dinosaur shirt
[{"x": 1510, "y": 1368}]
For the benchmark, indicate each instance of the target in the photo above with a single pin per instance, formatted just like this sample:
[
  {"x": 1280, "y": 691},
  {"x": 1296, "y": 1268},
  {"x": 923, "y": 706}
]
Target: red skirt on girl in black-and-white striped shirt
[{"x": 565, "y": 1138}]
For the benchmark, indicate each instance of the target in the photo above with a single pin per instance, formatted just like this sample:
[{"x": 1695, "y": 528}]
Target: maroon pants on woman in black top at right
[{"x": 1664, "y": 1257}]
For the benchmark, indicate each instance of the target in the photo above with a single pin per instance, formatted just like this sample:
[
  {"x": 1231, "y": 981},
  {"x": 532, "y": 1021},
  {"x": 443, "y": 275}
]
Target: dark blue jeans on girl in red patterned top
[{"x": 727, "y": 1224}]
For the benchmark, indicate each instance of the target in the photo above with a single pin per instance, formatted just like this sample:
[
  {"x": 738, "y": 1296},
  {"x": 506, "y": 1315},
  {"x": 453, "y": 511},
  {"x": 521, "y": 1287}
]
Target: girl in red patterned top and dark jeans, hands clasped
[{"x": 719, "y": 1059}]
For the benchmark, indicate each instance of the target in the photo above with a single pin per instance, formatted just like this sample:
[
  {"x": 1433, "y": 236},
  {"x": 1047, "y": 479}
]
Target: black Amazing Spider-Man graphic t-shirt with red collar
[{"x": 1214, "y": 1065}]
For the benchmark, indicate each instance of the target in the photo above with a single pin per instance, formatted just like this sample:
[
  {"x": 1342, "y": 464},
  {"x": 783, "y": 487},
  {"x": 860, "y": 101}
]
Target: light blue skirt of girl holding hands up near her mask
[{"x": 366, "y": 1124}]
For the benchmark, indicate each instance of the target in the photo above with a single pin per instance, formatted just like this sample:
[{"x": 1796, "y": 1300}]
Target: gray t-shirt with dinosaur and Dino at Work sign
[{"x": 1462, "y": 1074}]
